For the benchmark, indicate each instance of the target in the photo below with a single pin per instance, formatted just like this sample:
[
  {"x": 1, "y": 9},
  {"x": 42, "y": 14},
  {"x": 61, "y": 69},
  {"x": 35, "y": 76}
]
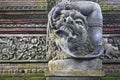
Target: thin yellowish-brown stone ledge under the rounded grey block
[{"x": 81, "y": 73}]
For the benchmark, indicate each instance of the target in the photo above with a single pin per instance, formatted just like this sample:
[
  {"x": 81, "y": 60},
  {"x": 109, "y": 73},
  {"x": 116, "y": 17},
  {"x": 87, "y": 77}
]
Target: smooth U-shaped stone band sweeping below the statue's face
[{"x": 79, "y": 53}]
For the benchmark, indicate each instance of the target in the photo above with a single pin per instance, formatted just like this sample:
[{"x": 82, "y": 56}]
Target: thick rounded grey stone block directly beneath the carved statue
[{"x": 75, "y": 65}]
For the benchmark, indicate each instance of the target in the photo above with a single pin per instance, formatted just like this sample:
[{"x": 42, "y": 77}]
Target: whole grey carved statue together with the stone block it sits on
[{"x": 75, "y": 37}]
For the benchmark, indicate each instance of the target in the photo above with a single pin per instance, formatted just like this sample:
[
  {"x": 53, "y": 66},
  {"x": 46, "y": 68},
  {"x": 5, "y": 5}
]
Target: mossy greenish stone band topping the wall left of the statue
[{"x": 23, "y": 4}]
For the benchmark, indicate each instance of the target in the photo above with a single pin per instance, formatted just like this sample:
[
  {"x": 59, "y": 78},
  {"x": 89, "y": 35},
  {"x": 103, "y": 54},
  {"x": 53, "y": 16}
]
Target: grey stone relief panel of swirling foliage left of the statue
[{"x": 23, "y": 48}]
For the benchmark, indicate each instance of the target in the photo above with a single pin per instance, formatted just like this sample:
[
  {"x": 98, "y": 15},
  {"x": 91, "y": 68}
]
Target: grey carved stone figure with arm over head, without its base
[{"x": 77, "y": 28}]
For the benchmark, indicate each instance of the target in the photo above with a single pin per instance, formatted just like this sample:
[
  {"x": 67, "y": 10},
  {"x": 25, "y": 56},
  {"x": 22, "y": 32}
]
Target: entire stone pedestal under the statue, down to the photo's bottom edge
[{"x": 75, "y": 69}]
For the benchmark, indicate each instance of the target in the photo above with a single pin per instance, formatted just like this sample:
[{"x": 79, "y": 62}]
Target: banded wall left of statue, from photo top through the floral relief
[{"x": 23, "y": 30}]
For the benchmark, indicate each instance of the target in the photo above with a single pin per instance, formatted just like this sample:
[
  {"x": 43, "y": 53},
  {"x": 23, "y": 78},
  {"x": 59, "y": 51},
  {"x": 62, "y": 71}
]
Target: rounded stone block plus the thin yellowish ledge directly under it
[{"x": 74, "y": 67}]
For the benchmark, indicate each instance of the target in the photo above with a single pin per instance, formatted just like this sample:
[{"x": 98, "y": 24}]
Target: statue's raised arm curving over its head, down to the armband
[{"x": 87, "y": 8}]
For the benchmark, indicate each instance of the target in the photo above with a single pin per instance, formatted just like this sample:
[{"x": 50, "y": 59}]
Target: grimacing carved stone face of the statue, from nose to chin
[{"x": 73, "y": 35}]
